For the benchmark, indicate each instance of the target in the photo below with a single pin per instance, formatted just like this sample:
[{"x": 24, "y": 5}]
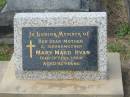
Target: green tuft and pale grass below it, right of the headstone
[{"x": 121, "y": 42}]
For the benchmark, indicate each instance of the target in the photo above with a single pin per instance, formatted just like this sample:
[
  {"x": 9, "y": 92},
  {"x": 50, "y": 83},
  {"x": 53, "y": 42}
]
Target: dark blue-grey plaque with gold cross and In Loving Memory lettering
[{"x": 59, "y": 48}]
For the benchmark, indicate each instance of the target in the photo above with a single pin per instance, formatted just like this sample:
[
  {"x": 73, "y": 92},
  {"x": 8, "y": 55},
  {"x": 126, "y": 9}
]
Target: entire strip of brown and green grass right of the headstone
[{"x": 118, "y": 28}]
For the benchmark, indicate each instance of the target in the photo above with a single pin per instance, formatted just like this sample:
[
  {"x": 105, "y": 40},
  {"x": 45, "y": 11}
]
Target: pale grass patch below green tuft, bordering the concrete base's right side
[{"x": 121, "y": 46}]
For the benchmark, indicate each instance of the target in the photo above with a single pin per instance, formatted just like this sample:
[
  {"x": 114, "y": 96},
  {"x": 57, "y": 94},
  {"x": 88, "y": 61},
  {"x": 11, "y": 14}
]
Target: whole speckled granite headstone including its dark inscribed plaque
[{"x": 60, "y": 45}]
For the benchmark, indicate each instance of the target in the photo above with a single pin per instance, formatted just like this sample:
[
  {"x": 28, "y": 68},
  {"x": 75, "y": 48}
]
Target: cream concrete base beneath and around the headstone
[{"x": 113, "y": 87}]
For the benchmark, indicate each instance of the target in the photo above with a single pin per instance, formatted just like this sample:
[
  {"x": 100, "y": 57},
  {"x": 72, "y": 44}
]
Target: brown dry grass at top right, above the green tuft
[{"x": 117, "y": 14}]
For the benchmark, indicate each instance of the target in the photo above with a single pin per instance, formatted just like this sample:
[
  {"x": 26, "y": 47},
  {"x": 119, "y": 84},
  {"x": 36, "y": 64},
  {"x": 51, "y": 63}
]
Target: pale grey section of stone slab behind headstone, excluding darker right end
[{"x": 40, "y": 5}]
